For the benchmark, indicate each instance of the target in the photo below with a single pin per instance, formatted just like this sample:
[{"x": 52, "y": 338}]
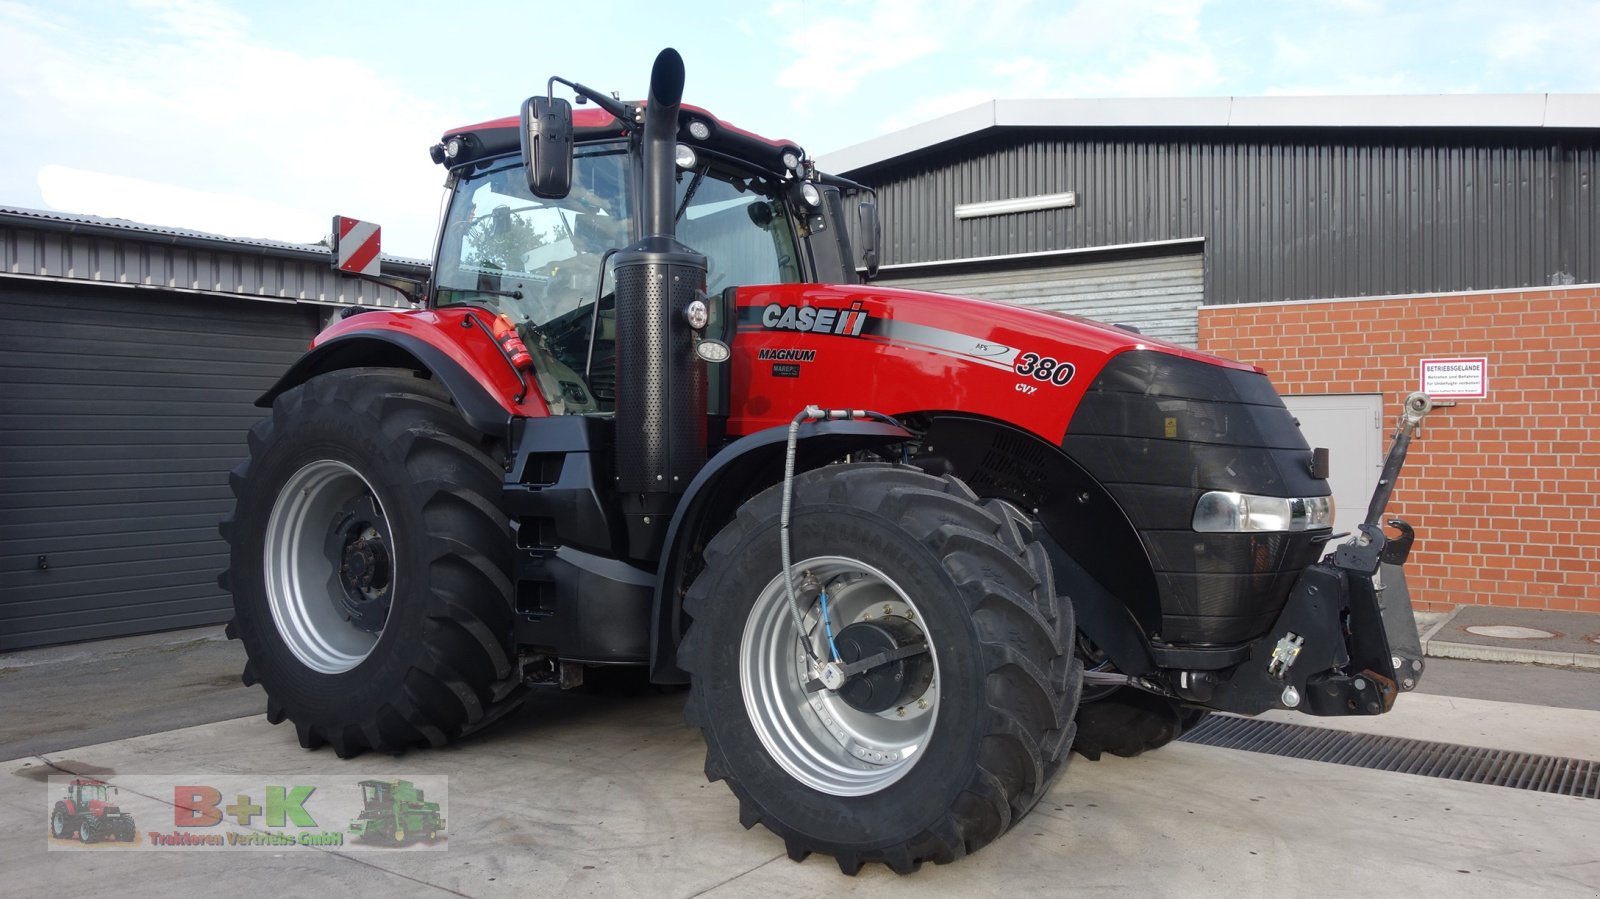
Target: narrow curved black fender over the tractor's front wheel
[{"x": 734, "y": 476}]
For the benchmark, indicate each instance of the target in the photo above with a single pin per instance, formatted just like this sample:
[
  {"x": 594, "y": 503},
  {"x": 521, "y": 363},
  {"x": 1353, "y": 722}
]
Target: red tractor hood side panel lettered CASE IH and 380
[{"x": 898, "y": 351}]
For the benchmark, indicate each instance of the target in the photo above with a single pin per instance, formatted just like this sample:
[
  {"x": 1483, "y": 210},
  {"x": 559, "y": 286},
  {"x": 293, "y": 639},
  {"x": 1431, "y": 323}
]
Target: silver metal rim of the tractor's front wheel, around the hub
[{"x": 818, "y": 738}]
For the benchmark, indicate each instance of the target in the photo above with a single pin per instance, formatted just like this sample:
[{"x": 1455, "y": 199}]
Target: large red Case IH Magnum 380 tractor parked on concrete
[{"x": 906, "y": 549}]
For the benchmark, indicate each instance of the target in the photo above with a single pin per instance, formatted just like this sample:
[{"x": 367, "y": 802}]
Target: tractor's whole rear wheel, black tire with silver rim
[{"x": 370, "y": 565}]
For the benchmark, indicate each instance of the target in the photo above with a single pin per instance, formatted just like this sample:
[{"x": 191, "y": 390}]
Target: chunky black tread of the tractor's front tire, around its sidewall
[{"x": 1004, "y": 577}]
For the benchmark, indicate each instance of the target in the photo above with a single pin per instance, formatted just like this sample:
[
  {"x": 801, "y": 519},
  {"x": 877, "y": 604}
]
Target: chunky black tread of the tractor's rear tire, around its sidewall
[{"x": 463, "y": 674}]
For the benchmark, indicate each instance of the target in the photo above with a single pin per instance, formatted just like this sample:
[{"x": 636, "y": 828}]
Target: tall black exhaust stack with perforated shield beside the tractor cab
[{"x": 660, "y": 382}]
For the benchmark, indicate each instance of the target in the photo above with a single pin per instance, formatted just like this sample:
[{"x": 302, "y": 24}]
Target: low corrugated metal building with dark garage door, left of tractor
[{"x": 130, "y": 361}]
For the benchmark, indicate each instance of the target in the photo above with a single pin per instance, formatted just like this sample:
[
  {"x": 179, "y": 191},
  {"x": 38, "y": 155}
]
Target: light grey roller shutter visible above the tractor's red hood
[{"x": 1159, "y": 295}]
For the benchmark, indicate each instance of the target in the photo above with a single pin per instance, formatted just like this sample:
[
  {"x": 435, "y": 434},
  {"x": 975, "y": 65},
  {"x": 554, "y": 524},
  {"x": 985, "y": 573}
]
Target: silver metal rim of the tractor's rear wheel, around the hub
[{"x": 303, "y": 580}]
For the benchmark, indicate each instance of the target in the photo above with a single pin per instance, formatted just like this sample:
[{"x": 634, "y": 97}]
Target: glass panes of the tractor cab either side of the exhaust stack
[{"x": 538, "y": 262}]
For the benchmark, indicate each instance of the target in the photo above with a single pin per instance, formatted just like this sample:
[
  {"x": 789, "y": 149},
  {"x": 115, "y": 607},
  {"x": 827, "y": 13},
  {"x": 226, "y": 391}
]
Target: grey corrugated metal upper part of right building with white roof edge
[{"x": 1142, "y": 210}]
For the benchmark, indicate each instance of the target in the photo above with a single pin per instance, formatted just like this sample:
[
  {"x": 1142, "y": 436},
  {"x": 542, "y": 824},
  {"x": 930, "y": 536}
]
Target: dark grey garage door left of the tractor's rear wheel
[{"x": 121, "y": 417}]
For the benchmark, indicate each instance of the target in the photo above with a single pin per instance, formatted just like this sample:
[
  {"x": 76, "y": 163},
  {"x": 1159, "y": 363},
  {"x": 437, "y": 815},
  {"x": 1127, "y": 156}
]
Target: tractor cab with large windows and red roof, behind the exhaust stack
[{"x": 753, "y": 207}]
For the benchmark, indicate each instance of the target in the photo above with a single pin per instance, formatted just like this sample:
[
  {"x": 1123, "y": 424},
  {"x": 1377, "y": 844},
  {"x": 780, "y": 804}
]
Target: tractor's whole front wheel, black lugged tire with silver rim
[{"x": 962, "y": 746}]
